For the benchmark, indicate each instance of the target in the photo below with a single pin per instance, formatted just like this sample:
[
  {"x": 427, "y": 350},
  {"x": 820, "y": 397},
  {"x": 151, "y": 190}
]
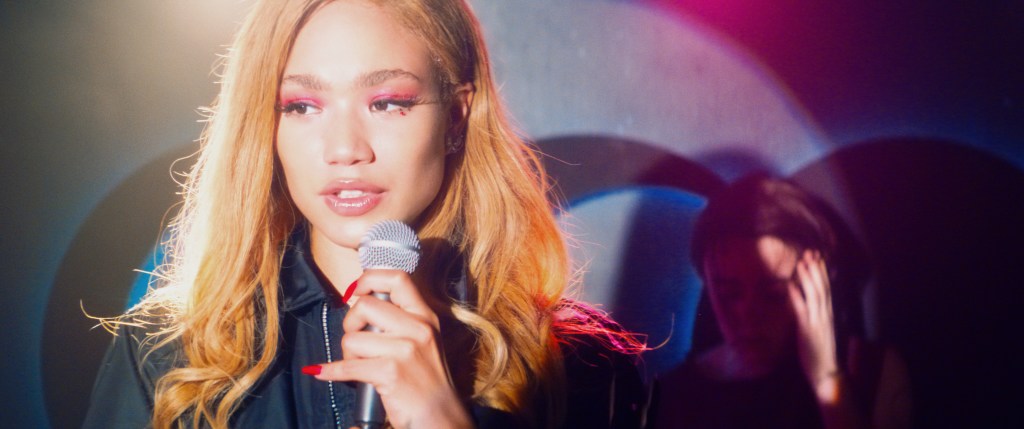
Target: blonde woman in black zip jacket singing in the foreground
[{"x": 333, "y": 116}]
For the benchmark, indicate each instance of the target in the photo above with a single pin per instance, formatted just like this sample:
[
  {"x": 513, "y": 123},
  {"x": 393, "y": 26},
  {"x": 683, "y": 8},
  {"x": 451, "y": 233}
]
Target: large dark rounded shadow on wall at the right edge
[{"x": 944, "y": 225}]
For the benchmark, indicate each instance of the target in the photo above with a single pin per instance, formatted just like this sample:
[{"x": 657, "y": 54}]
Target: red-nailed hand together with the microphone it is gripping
[{"x": 392, "y": 347}]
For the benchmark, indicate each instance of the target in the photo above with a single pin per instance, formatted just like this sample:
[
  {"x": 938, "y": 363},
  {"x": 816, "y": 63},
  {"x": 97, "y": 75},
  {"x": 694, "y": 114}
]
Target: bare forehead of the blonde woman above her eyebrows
[{"x": 344, "y": 40}]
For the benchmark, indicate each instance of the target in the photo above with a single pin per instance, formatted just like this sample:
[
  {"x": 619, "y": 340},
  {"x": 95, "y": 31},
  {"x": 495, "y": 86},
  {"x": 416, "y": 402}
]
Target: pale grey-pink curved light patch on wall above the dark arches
[{"x": 575, "y": 67}]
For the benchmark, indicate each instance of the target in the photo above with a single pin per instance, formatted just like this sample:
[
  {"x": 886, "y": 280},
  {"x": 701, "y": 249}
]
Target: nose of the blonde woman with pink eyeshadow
[{"x": 347, "y": 140}]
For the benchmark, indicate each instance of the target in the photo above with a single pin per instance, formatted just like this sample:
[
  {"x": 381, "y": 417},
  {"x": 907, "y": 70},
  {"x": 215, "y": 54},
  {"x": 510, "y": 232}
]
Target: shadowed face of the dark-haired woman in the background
[{"x": 749, "y": 281}]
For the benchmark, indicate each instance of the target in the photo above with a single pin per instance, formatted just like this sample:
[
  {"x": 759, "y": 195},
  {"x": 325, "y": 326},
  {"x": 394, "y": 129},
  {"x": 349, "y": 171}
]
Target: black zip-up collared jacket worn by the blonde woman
[{"x": 605, "y": 387}]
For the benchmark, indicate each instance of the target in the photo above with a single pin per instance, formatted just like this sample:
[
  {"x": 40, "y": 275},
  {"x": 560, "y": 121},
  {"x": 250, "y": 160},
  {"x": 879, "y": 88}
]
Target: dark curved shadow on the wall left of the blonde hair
[{"x": 96, "y": 276}]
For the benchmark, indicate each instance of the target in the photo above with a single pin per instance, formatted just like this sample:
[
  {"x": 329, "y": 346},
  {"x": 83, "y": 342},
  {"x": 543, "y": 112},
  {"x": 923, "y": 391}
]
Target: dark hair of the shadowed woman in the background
[{"x": 760, "y": 205}]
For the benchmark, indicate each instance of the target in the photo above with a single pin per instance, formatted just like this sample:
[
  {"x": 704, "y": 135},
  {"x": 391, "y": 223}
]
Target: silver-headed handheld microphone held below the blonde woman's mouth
[{"x": 389, "y": 245}]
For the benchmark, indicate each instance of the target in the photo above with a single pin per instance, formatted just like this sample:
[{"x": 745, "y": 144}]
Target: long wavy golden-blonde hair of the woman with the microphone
[{"x": 229, "y": 239}]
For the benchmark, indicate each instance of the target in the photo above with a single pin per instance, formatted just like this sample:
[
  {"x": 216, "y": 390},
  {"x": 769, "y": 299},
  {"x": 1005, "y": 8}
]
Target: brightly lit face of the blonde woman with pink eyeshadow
[{"x": 362, "y": 131}]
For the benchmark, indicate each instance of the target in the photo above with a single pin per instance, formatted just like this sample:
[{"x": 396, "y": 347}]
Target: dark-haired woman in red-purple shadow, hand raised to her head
[{"x": 769, "y": 255}]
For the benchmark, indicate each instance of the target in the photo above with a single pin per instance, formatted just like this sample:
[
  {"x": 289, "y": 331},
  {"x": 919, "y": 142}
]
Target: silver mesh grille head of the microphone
[{"x": 391, "y": 245}]
